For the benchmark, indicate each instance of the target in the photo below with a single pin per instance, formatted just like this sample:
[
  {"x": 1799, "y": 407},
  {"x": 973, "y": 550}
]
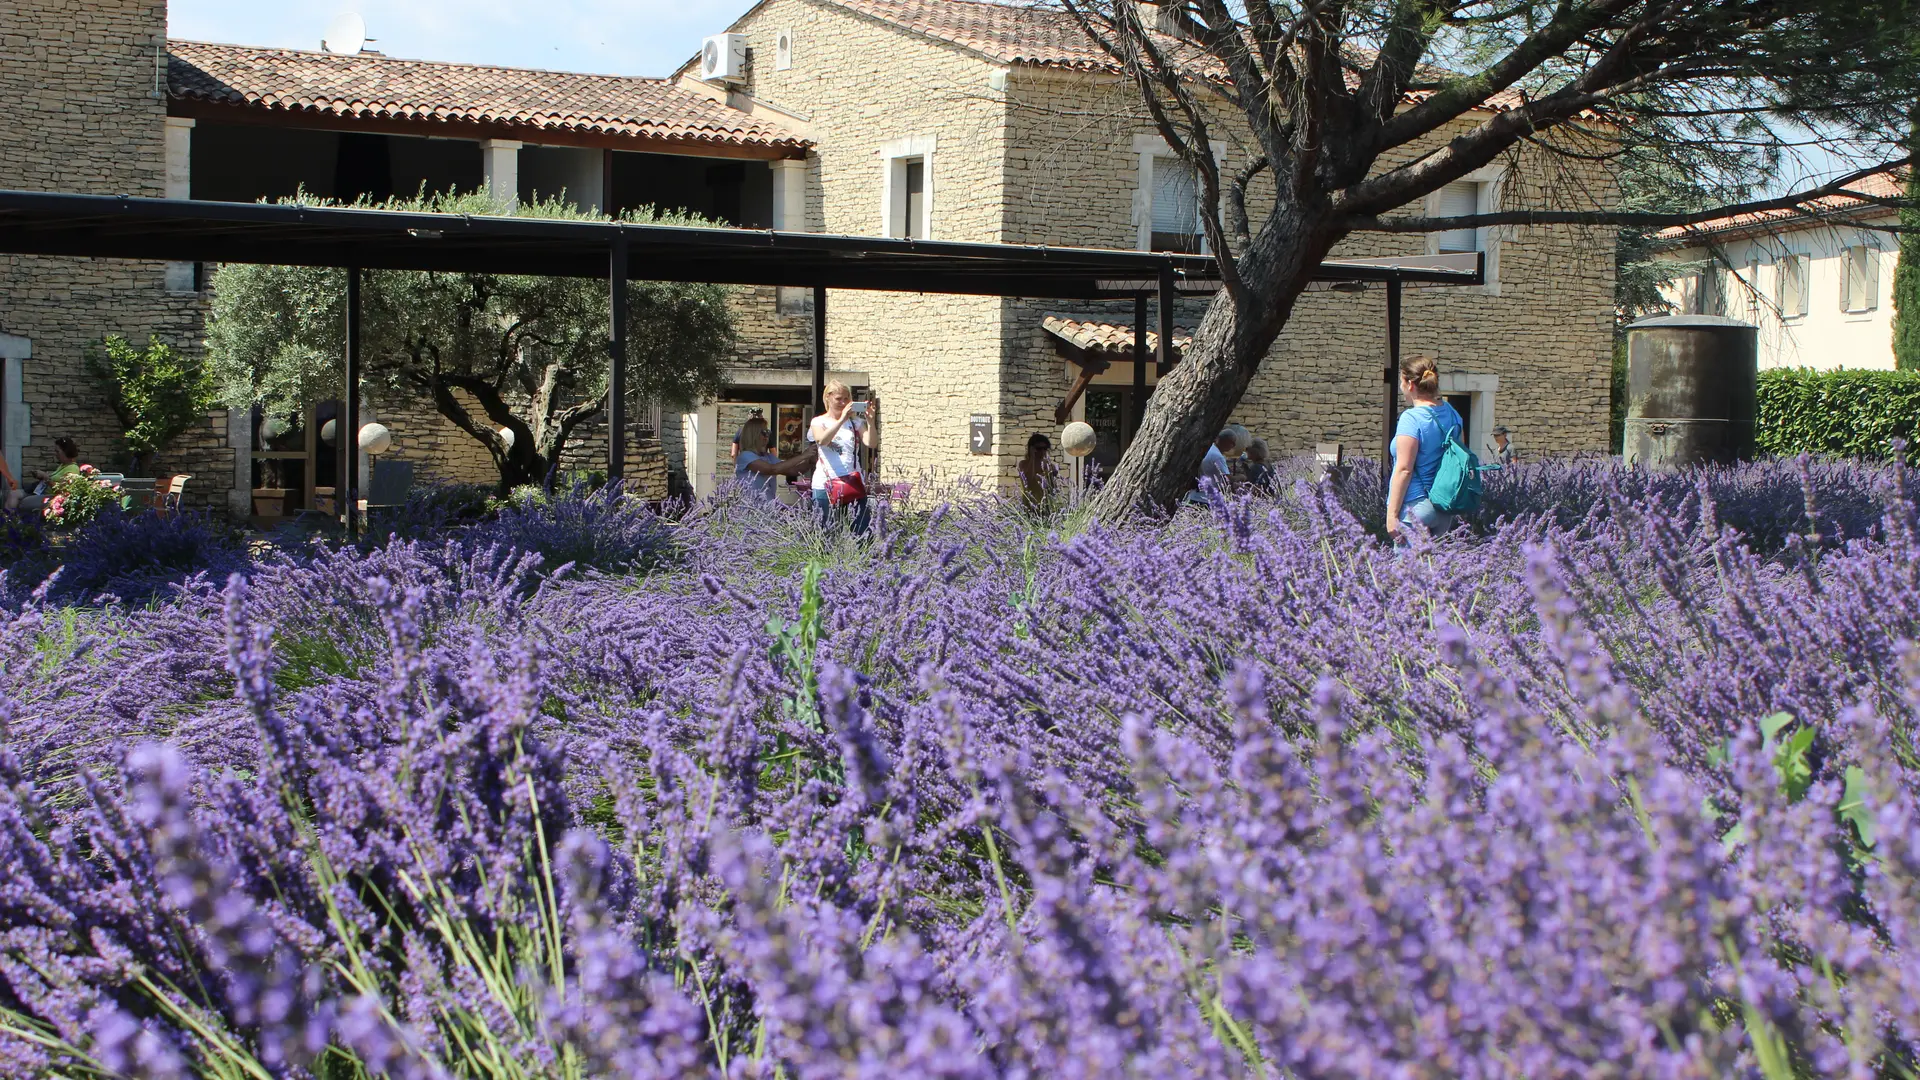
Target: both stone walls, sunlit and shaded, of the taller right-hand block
[{"x": 1042, "y": 157}]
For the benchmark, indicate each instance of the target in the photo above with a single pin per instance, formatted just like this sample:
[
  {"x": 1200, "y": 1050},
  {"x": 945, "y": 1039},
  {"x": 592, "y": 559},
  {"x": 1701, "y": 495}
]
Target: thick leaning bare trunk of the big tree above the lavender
[{"x": 1197, "y": 399}]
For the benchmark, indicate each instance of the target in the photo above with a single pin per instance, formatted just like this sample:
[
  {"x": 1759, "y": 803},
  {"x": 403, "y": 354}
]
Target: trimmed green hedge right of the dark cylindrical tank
[{"x": 1854, "y": 414}]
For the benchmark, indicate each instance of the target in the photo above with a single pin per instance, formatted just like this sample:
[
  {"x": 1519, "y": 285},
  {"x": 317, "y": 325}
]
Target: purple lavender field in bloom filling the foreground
[{"x": 1623, "y": 783}]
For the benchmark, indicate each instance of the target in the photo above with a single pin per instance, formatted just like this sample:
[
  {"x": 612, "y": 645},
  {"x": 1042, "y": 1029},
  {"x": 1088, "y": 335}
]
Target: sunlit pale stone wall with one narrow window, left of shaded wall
[{"x": 865, "y": 86}]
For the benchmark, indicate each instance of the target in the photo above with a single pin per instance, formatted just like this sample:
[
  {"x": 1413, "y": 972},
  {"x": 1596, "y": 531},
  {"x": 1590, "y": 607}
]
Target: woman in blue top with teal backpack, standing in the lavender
[{"x": 1431, "y": 464}]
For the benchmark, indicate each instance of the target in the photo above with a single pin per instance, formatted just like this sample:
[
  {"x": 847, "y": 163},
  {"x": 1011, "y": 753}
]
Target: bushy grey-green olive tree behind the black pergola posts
[{"x": 531, "y": 353}]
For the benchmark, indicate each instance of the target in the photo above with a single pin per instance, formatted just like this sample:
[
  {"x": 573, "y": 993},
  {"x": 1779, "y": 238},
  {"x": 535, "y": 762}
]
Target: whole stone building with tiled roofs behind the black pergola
[{"x": 949, "y": 120}]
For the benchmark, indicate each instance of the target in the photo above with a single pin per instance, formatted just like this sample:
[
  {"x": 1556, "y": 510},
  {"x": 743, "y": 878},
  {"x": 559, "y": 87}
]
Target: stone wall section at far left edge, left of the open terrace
[{"x": 80, "y": 78}]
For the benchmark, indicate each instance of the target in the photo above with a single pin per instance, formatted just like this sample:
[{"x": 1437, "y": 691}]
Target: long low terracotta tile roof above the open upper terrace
[{"x": 389, "y": 89}]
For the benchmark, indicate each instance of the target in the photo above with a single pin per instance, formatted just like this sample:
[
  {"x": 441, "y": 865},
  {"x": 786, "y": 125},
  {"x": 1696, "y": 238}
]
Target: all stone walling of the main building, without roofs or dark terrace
[{"x": 1007, "y": 153}]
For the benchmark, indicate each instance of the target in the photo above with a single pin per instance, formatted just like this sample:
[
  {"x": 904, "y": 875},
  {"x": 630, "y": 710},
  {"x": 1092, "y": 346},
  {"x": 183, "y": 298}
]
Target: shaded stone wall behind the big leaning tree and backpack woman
[{"x": 1545, "y": 331}]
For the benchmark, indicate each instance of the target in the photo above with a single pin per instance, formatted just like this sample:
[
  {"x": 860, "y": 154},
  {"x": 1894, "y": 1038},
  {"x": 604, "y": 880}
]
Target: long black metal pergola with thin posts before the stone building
[{"x": 124, "y": 228}]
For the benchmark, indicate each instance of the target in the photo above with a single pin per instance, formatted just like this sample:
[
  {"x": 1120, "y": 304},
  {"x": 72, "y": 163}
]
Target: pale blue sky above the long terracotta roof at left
[{"x": 613, "y": 37}]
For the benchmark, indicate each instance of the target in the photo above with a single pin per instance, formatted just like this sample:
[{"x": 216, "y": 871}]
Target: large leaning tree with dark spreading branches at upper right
[{"x": 1353, "y": 110}]
